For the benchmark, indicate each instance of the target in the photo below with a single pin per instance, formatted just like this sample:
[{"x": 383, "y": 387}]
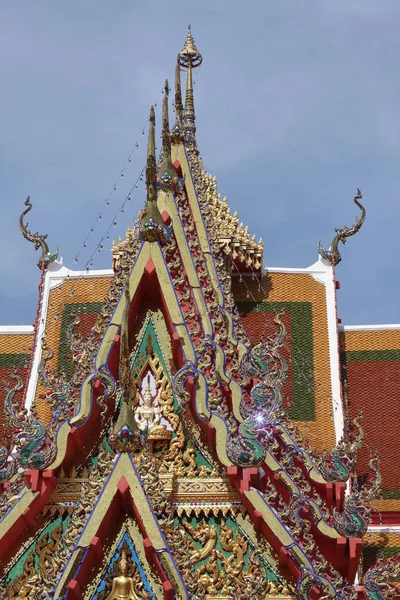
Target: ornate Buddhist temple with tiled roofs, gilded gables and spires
[{"x": 191, "y": 424}]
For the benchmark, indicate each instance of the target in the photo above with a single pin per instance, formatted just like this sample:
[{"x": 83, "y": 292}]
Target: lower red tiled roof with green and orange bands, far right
[{"x": 372, "y": 361}]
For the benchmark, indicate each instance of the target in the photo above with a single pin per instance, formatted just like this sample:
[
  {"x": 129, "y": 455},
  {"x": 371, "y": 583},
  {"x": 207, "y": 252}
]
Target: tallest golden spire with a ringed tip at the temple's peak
[{"x": 190, "y": 58}]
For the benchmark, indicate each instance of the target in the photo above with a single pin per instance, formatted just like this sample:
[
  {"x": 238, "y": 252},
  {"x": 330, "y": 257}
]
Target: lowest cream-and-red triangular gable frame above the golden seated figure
[{"x": 121, "y": 495}]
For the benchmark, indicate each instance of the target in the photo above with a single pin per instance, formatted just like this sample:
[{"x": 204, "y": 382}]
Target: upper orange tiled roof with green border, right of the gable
[{"x": 309, "y": 382}]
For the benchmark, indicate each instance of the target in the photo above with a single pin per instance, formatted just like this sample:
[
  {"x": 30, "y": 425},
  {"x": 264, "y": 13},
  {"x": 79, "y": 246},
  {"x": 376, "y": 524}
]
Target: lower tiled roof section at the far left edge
[{"x": 15, "y": 353}]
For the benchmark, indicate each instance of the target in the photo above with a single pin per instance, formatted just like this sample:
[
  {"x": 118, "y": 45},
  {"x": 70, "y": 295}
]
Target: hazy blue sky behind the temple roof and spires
[{"x": 297, "y": 105}]
